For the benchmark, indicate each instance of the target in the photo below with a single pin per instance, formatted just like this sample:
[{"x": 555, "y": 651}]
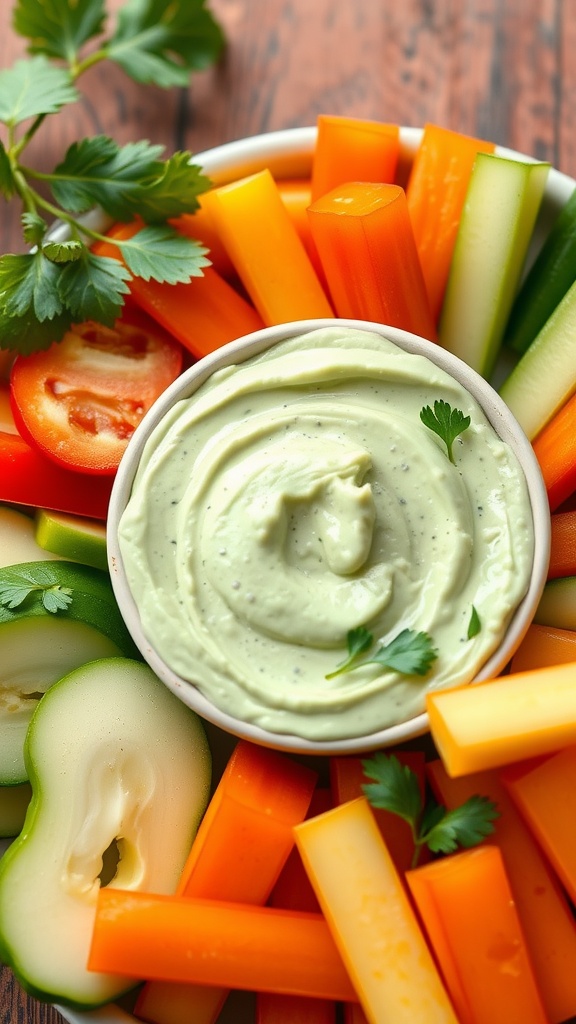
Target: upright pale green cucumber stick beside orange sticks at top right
[{"x": 502, "y": 206}]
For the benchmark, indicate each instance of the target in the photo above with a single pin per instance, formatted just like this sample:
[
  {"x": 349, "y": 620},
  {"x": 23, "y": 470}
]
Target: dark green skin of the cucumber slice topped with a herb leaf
[{"x": 93, "y": 600}]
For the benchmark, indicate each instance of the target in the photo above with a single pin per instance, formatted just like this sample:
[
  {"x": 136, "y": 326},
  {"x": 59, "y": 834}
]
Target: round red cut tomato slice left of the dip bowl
[{"x": 80, "y": 401}]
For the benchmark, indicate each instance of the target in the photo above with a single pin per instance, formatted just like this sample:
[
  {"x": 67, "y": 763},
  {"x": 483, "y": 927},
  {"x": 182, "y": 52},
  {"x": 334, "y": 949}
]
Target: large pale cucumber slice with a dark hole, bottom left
[{"x": 116, "y": 762}]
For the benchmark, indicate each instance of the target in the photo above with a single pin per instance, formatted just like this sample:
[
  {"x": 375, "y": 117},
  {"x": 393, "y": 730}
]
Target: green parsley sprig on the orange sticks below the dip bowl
[{"x": 396, "y": 788}]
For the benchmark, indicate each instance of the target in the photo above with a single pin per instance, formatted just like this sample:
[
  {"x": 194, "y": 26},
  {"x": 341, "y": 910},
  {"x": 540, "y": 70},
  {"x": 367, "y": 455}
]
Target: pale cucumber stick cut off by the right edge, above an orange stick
[{"x": 545, "y": 378}]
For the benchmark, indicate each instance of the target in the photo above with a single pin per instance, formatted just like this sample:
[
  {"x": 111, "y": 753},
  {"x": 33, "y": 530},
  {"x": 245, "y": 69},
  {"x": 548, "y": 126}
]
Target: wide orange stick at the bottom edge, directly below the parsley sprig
[{"x": 467, "y": 906}]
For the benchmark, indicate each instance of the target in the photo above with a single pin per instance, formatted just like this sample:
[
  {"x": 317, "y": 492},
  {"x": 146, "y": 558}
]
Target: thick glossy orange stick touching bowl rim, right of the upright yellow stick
[{"x": 365, "y": 242}]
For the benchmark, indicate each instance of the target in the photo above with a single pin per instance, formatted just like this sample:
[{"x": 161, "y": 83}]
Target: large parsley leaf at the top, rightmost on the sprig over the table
[{"x": 162, "y": 44}]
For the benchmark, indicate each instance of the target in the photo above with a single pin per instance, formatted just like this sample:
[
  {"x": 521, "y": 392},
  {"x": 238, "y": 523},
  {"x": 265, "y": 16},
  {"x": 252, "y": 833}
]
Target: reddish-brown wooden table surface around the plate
[{"x": 505, "y": 72}]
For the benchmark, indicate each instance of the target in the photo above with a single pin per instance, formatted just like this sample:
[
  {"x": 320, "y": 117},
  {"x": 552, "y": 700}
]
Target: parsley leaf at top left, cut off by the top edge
[{"x": 59, "y": 29}]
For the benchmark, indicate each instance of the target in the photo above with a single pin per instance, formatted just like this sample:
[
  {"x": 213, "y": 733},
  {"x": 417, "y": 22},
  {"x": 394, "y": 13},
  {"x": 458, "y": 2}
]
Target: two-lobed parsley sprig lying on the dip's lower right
[{"x": 410, "y": 653}]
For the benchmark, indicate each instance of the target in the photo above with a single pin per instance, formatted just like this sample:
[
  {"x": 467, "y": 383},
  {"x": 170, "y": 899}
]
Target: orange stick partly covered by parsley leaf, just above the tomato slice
[{"x": 203, "y": 314}]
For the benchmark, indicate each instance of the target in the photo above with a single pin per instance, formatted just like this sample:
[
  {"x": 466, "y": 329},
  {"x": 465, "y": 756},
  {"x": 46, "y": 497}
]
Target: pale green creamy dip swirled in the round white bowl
[{"x": 298, "y": 496}]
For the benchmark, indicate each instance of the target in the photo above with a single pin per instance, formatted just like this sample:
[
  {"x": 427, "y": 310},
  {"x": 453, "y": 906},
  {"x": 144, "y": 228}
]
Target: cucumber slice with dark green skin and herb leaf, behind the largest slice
[{"x": 39, "y": 647}]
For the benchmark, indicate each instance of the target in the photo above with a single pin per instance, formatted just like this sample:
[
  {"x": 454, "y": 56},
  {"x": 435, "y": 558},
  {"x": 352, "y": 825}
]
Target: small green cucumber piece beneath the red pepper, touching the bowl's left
[{"x": 72, "y": 537}]
